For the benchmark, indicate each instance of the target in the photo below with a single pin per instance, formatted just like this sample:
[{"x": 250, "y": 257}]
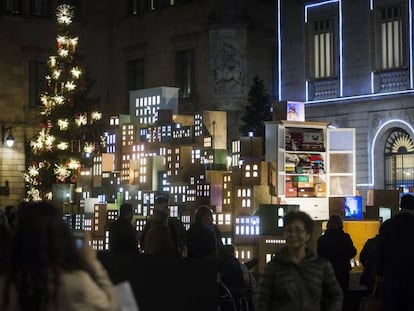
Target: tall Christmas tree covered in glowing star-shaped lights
[{"x": 69, "y": 134}]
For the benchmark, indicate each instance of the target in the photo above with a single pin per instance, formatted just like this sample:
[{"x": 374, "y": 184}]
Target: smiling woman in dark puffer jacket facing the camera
[{"x": 297, "y": 279}]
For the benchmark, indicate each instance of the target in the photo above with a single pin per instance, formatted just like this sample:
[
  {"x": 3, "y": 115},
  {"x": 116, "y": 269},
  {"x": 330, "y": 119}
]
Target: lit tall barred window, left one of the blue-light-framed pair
[{"x": 323, "y": 49}]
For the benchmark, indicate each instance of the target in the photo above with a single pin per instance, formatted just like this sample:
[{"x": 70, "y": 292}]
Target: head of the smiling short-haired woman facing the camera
[{"x": 298, "y": 229}]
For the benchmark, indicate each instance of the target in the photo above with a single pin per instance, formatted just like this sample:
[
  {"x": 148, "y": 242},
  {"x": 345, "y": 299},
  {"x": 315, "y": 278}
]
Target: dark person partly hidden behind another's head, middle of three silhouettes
[{"x": 175, "y": 227}]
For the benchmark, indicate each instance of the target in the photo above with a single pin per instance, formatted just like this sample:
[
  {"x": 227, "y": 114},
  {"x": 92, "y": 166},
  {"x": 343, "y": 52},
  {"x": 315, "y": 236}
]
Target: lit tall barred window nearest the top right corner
[{"x": 391, "y": 38}]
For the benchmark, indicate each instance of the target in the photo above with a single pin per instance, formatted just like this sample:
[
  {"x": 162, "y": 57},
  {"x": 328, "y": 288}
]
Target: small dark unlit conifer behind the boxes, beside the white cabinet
[{"x": 257, "y": 111}]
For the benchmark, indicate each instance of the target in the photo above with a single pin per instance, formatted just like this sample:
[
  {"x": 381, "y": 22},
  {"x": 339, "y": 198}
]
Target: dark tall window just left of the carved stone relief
[{"x": 185, "y": 73}]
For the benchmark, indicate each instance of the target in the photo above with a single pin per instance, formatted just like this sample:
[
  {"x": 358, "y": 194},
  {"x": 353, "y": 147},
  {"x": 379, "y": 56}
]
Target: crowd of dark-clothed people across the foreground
[{"x": 42, "y": 268}]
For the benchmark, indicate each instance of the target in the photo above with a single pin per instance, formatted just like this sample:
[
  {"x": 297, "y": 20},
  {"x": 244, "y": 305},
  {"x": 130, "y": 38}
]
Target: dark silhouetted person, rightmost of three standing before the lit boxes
[{"x": 203, "y": 237}]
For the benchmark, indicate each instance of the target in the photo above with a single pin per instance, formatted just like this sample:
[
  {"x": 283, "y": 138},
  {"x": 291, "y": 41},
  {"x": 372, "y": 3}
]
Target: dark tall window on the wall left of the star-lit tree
[{"x": 37, "y": 81}]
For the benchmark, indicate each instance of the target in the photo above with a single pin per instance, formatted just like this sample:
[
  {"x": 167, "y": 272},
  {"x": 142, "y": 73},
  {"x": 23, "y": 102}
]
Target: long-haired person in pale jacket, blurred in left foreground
[{"x": 46, "y": 271}]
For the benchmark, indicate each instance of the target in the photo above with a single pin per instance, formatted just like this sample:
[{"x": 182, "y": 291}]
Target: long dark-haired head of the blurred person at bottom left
[{"x": 41, "y": 247}]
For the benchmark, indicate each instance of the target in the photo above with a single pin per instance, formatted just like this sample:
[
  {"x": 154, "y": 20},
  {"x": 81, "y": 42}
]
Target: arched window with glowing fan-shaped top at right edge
[{"x": 399, "y": 161}]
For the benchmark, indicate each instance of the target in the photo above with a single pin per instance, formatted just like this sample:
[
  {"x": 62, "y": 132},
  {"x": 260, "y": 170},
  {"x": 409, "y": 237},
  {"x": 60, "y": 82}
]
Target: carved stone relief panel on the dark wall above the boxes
[{"x": 228, "y": 61}]
